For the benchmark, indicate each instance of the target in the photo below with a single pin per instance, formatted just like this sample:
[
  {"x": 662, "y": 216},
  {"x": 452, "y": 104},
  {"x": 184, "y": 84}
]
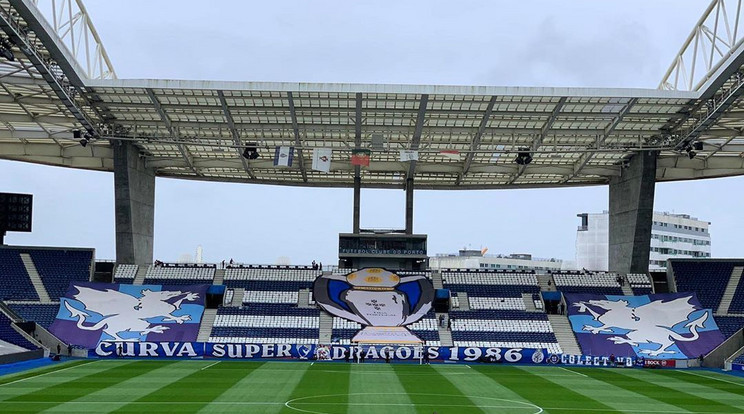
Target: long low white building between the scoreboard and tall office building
[{"x": 477, "y": 259}]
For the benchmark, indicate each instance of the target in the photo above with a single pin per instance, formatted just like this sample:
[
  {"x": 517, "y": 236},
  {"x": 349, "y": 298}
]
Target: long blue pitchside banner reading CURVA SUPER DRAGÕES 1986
[{"x": 316, "y": 352}]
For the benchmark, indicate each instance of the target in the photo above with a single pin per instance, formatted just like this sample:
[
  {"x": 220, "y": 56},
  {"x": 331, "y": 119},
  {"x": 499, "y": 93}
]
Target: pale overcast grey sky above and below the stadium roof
[{"x": 529, "y": 43}]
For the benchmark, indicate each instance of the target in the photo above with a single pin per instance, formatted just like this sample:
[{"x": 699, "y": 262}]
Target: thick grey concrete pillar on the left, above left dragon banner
[{"x": 134, "y": 194}]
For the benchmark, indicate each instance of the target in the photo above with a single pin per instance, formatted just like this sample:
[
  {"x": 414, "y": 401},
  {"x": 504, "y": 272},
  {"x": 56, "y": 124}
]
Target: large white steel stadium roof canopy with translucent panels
[{"x": 58, "y": 84}]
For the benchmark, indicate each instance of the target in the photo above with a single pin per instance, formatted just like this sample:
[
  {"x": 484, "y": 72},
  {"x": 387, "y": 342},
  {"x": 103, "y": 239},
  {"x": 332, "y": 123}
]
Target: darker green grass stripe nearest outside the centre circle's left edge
[{"x": 194, "y": 389}]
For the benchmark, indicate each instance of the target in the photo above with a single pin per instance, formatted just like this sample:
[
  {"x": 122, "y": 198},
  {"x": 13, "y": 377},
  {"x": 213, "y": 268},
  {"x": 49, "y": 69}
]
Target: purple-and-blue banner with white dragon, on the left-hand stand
[{"x": 93, "y": 312}]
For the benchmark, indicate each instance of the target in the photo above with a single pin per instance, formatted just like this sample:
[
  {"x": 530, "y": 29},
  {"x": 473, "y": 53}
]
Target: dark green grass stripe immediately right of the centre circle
[{"x": 542, "y": 392}]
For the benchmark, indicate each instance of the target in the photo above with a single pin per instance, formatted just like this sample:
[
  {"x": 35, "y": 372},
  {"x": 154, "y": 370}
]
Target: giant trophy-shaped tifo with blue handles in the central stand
[{"x": 378, "y": 299}]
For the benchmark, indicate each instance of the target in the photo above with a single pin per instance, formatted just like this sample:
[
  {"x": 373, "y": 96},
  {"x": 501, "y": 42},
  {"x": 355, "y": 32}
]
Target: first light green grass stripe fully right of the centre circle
[{"x": 618, "y": 398}]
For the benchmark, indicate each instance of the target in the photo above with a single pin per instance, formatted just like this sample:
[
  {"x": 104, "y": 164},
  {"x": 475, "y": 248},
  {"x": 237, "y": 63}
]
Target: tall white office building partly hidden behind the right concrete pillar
[{"x": 672, "y": 236}]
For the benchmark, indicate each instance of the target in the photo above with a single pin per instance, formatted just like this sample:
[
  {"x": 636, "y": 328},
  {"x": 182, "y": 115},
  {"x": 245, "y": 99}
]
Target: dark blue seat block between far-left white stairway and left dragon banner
[{"x": 58, "y": 268}]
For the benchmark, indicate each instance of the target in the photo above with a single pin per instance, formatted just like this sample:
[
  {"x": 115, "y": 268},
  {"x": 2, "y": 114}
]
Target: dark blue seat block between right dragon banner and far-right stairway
[{"x": 708, "y": 279}]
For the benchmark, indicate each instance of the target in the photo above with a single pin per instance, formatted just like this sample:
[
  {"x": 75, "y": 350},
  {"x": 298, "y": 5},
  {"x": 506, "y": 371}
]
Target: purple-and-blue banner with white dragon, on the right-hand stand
[{"x": 664, "y": 326}]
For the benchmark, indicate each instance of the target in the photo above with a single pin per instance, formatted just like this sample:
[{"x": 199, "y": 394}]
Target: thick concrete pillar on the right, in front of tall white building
[{"x": 632, "y": 214}]
